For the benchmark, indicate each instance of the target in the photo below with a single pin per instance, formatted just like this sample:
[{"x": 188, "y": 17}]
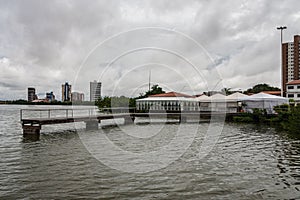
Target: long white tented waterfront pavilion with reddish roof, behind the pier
[{"x": 176, "y": 102}]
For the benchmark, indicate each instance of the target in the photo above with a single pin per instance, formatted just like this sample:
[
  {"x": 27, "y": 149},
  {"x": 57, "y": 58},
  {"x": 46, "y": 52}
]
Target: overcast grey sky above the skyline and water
[{"x": 188, "y": 46}]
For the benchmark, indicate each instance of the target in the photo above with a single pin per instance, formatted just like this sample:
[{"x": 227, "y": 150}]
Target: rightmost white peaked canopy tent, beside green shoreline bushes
[{"x": 263, "y": 101}]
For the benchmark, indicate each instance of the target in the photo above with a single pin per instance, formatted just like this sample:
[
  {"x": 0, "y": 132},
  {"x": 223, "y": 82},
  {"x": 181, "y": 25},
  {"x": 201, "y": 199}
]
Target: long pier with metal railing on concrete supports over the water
[{"x": 33, "y": 119}]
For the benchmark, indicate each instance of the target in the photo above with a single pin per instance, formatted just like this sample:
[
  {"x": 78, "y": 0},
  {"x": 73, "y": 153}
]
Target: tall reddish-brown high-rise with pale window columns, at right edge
[{"x": 290, "y": 62}]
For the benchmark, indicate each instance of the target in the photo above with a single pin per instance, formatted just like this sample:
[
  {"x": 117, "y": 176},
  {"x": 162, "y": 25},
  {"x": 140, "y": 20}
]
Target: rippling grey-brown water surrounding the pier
[{"x": 243, "y": 162}]
